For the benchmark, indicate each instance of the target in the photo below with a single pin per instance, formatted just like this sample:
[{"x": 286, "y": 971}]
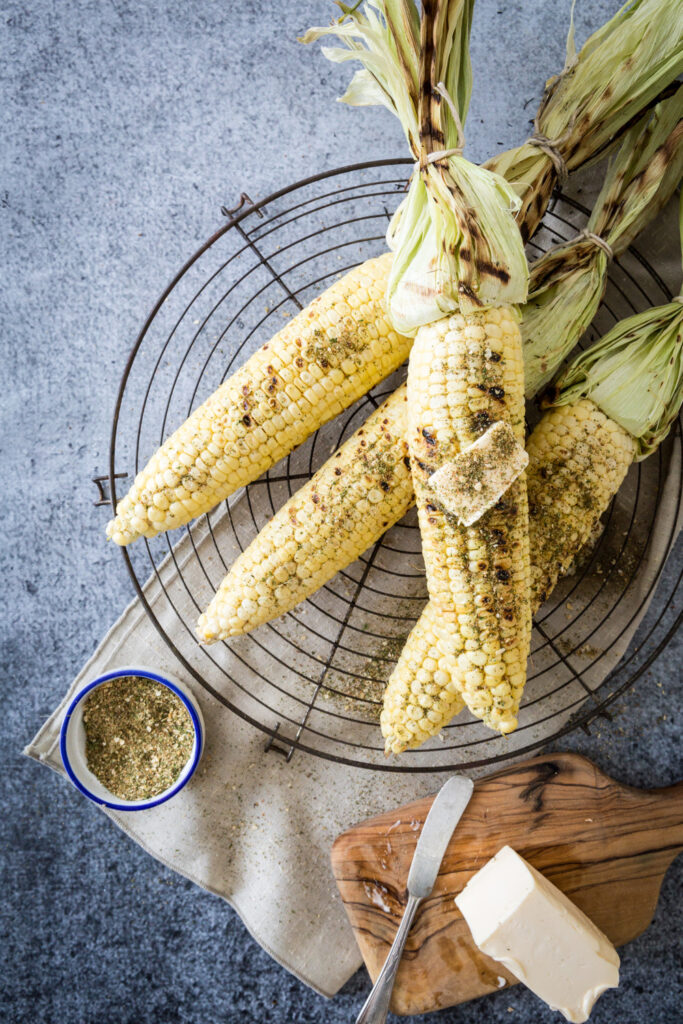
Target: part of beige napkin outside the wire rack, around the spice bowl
[{"x": 249, "y": 827}]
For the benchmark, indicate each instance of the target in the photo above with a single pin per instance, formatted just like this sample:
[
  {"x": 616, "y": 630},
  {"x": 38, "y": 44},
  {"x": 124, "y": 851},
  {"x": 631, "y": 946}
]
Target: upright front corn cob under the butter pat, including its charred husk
[{"x": 465, "y": 374}]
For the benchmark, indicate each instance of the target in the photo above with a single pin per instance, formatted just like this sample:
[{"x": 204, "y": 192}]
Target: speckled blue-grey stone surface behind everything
[{"x": 126, "y": 126}]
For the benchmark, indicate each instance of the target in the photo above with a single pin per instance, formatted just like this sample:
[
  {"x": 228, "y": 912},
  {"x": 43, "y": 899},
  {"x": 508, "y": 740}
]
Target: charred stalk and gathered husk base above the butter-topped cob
[{"x": 473, "y": 253}]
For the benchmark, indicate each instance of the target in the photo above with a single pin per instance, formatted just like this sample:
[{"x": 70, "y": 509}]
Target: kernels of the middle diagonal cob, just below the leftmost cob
[{"x": 325, "y": 523}]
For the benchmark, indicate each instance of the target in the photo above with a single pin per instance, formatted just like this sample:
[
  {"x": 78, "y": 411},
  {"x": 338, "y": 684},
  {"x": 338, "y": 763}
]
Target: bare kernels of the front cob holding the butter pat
[{"x": 462, "y": 379}]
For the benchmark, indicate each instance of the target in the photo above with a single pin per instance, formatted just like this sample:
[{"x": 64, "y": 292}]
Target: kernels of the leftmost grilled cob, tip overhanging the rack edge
[{"x": 266, "y": 410}]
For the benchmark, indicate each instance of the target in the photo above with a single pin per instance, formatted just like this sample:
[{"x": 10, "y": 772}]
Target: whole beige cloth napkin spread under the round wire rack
[{"x": 259, "y": 831}]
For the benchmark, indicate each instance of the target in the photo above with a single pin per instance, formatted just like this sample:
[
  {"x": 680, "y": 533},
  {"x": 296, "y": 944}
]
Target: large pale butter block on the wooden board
[{"x": 521, "y": 919}]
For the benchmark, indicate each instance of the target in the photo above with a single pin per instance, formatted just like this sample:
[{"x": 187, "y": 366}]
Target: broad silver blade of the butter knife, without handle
[{"x": 440, "y": 826}]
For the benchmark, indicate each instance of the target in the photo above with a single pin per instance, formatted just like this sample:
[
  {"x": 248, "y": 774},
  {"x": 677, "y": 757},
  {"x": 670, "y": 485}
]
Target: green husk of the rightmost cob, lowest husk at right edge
[{"x": 635, "y": 373}]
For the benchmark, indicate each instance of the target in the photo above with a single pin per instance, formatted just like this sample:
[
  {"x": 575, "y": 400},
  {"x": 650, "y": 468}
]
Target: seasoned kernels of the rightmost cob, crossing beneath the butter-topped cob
[{"x": 568, "y": 494}]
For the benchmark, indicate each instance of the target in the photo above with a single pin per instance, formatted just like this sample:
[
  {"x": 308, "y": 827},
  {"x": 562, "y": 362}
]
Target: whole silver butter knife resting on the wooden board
[{"x": 445, "y": 815}]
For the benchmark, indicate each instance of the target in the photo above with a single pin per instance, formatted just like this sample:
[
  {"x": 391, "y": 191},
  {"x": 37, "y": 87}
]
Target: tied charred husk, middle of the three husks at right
[{"x": 568, "y": 284}]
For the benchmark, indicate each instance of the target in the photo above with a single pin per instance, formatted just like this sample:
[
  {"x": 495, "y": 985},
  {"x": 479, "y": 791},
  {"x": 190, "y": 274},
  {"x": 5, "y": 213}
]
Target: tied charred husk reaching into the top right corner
[{"x": 621, "y": 69}]
